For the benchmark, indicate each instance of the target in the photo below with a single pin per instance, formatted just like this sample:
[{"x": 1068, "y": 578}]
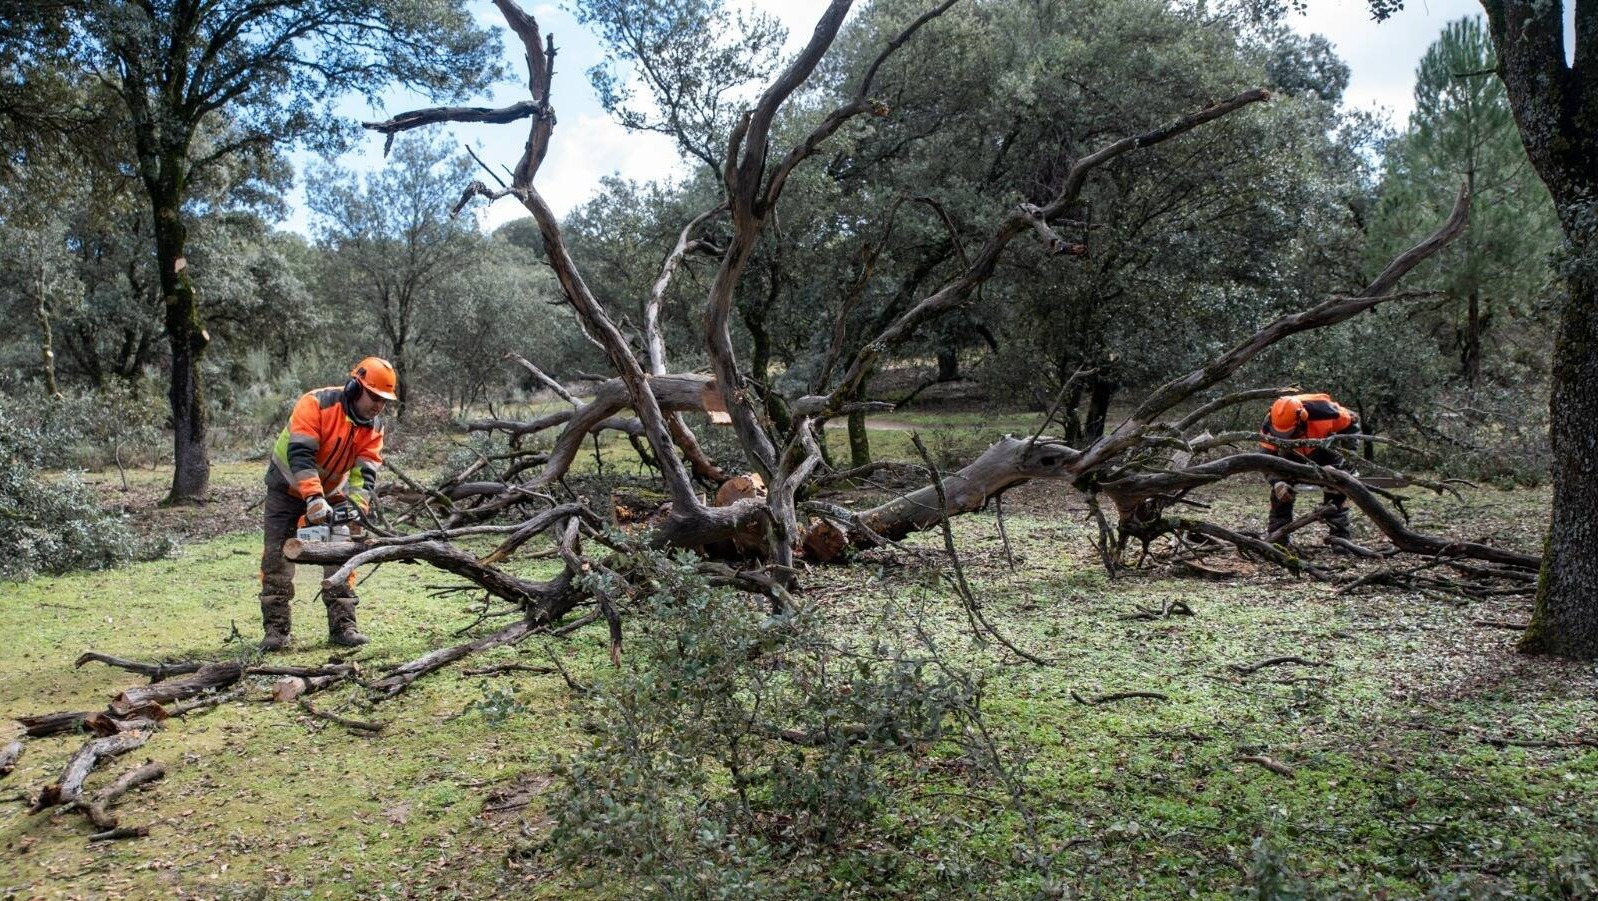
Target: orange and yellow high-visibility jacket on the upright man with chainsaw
[{"x": 327, "y": 451}]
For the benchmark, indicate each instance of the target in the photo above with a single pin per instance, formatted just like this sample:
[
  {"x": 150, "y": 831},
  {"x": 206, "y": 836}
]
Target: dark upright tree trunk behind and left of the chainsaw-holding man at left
[{"x": 188, "y": 339}]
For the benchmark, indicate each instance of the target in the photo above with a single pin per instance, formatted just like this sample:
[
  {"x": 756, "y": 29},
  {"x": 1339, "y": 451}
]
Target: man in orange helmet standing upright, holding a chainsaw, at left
[{"x": 327, "y": 456}]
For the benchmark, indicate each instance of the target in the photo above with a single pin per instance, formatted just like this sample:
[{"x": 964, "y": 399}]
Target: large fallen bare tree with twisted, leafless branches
[{"x": 1143, "y": 466}]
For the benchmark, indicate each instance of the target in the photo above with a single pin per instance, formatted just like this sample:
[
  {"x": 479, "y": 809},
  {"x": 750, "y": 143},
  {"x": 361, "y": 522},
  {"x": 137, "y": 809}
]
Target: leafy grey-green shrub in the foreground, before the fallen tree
[{"x": 741, "y": 755}]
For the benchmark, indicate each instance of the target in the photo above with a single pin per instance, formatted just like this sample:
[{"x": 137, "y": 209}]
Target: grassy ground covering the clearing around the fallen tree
[{"x": 1394, "y": 790}]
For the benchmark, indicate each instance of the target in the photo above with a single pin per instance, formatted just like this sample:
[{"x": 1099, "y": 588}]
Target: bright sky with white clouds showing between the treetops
[{"x": 589, "y": 146}]
